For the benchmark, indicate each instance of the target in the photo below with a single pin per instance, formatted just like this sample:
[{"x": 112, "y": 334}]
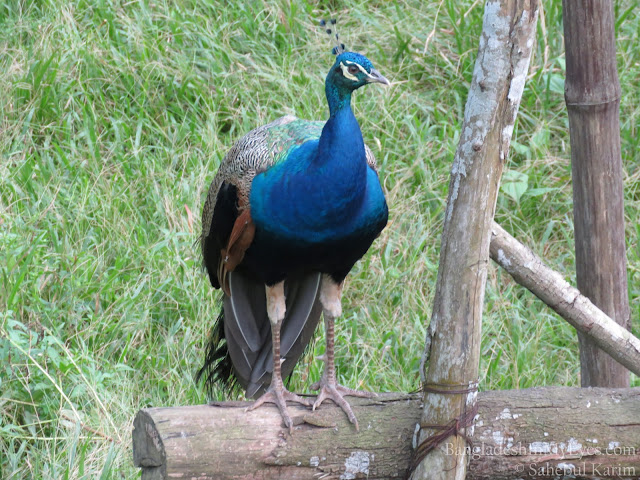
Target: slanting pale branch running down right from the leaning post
[{"x": 528, "y": 270}]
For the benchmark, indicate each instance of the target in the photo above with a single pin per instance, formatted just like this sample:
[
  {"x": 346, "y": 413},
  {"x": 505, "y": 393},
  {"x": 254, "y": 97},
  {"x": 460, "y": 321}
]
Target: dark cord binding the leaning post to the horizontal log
[{"x": 456, "y": 427}]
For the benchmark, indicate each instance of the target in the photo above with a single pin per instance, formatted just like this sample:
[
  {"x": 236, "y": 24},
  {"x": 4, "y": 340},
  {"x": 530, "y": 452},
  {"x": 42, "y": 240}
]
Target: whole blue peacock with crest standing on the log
[{"x": 293, "y": 206}]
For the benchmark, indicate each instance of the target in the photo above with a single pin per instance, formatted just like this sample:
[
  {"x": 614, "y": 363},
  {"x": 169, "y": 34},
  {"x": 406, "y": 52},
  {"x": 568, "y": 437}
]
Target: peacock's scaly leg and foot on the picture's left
[{"x": 277, "y": 393}]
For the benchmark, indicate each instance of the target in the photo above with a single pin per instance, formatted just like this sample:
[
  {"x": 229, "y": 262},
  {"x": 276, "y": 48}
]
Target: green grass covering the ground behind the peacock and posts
[{"x": 114, "y": 116}]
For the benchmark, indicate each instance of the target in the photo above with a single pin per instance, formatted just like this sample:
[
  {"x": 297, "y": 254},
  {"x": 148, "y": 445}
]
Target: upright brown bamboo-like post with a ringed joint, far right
[{"x": 592, "y": 94}]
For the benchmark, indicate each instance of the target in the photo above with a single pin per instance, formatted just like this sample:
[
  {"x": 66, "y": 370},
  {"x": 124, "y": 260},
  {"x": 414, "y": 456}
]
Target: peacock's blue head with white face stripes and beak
[{"x": 352, "y": 71}]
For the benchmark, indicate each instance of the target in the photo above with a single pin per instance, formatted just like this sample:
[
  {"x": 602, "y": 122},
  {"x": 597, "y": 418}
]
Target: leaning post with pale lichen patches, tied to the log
[{"x": 453, "y": 340}]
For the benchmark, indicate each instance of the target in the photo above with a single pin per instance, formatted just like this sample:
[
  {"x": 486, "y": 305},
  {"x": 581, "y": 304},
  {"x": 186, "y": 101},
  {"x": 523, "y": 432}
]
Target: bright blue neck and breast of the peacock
[{"x": 317, "y": 192}]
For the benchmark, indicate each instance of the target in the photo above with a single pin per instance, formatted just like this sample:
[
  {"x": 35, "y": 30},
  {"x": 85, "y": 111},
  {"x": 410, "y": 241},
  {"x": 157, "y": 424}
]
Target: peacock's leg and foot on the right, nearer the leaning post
[{"x": 328, "y": 387}]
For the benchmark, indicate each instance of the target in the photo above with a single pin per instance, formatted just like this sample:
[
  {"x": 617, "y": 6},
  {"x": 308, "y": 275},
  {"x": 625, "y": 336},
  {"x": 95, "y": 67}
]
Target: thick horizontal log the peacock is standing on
[{"x": 532, "y": 433}]
